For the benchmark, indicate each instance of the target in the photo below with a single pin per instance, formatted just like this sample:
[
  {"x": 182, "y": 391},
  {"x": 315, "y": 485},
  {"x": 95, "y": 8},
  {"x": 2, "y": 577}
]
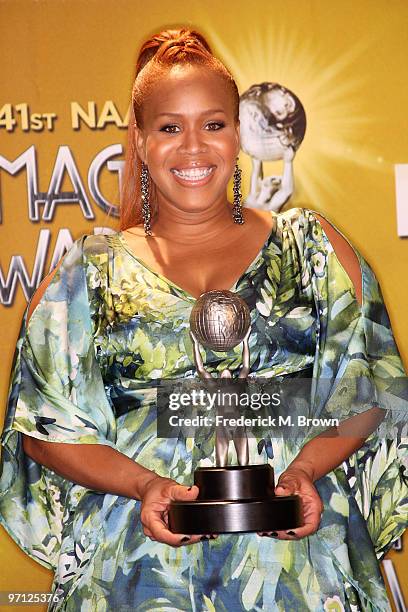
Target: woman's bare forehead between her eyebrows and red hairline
[{"x": 188, "y": 90}]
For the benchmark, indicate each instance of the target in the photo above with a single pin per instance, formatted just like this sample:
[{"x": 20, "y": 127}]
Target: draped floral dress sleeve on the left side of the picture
[{"x": 56, "y": 394}]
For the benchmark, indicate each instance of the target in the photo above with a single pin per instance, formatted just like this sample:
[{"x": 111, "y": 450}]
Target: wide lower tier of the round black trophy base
[{"x": 209, "y": 516}]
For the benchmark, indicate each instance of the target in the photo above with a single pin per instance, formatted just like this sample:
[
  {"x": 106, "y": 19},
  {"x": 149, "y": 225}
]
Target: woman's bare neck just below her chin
[{"x": 193, "y": 227}]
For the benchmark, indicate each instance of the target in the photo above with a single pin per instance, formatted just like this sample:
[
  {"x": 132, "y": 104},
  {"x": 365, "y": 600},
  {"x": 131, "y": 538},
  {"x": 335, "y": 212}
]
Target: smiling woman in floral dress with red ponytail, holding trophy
[{"x": 86, "y": 482}]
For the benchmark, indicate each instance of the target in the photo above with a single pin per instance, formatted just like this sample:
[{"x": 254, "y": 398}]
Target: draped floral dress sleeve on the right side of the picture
[{"x": 359, "y": 367}]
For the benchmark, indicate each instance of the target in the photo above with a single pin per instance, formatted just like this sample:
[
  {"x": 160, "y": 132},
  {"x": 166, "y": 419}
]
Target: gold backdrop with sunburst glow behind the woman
[{"x": 66, "y": 76}]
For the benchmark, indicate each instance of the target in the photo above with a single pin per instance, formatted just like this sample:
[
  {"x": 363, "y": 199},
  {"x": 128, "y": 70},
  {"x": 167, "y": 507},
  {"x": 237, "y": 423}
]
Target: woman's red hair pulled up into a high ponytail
[{"x": 157, "y": 55}]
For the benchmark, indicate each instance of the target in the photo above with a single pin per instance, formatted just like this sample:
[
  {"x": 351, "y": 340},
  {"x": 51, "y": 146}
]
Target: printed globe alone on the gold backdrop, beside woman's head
[{"x": 272, "y": 119}]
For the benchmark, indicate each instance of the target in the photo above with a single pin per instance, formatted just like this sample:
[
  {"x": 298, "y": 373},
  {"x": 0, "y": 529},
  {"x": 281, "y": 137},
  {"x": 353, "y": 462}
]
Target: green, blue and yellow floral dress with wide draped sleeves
[{"x": 86, "y": 371}]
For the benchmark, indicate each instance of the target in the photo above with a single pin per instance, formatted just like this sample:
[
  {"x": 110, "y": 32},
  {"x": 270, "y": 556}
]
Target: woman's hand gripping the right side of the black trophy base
[{"x": 297, "y": 481}]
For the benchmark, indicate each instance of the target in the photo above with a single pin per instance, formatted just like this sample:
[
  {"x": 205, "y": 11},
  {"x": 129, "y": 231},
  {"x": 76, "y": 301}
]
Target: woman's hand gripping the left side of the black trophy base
[{"x": 157, "y": 495}]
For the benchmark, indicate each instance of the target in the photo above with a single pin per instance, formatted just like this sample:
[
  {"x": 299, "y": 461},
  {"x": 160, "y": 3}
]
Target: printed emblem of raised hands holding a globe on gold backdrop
[{"x": 273, "y": 125}]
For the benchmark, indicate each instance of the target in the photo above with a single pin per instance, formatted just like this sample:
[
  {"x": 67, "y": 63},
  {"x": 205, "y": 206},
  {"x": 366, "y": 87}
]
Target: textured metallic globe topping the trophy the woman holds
[{"x": 220, "y": 320}]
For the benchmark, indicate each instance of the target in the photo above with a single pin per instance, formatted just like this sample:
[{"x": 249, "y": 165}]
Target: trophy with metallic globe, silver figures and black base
[{"x": 232, "y": 498}]
